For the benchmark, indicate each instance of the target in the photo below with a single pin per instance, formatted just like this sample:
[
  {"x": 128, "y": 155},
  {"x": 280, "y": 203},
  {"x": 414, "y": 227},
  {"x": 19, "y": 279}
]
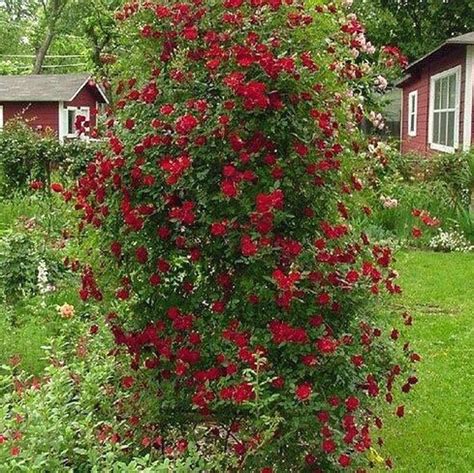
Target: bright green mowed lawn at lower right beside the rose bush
[{"x": 437, "y": 432}]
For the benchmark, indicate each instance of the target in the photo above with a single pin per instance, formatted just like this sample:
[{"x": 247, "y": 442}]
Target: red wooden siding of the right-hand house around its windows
[{"x": 443, "y": 60}]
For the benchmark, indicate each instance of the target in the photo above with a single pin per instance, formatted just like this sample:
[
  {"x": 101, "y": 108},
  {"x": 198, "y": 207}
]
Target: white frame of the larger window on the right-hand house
[{"x": 457, "y": 101}]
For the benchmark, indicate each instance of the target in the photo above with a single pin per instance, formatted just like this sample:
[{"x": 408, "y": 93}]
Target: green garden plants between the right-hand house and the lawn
[{"x": 441, "y": 185}]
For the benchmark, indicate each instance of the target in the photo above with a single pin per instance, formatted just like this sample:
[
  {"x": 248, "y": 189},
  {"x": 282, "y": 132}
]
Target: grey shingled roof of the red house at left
[{"x": 43, "y": 87}]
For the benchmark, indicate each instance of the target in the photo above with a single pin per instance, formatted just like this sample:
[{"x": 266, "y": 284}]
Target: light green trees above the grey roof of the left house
[{"x": 56, "y": 35}]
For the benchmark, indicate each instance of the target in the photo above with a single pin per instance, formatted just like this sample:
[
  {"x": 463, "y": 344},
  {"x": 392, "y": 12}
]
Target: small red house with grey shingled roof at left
[{"x": 51, "y": 101}]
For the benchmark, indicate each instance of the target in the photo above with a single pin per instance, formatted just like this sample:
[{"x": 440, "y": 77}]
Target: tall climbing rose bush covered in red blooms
[{"x": 245, "y": 297}]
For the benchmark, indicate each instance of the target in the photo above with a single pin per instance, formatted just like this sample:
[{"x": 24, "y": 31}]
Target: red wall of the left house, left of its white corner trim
[{"x": 42, "y": 115}]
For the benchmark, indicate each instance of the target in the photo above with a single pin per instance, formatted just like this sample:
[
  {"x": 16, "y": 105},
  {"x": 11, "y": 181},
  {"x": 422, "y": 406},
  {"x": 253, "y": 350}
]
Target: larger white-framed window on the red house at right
[{"x": 444, "y": 110}]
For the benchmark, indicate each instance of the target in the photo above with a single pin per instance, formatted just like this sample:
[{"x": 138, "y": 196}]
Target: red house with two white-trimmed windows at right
[{"x": 437, "y": 104}]
